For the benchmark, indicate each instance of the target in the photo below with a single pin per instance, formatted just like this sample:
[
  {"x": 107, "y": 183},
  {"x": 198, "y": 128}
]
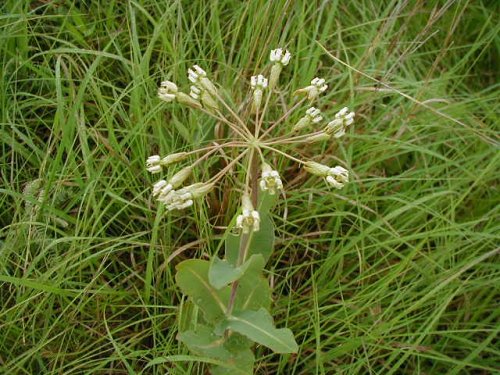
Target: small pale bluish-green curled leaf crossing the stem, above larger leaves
[{"x": 222, "y": 273}]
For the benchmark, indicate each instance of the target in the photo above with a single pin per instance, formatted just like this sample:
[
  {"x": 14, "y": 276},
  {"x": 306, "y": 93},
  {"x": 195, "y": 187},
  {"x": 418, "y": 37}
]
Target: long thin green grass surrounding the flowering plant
[{"x": 395, "y": 274}]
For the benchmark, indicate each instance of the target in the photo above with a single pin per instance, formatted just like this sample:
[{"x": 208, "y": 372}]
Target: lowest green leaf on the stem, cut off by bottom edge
[{"x": 203, "y": 341}]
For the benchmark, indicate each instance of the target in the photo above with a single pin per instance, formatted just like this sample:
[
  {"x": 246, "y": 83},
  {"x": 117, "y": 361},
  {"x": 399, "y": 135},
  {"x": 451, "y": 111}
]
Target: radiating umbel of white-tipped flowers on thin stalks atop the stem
[{"x": 251, "y": 137}]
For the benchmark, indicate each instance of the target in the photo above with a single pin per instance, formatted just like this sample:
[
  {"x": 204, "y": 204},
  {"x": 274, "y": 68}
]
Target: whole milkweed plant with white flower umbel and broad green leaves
[{"x": 229, "y": 299}]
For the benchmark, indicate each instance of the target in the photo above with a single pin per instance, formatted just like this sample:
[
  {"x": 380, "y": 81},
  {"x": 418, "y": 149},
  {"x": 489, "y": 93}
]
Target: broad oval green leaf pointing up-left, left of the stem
[{"x": 192, "y": 278}]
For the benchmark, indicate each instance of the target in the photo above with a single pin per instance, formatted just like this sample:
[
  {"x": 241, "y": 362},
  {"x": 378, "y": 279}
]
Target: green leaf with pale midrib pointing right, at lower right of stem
[{"x": 259, "y": 327}]
